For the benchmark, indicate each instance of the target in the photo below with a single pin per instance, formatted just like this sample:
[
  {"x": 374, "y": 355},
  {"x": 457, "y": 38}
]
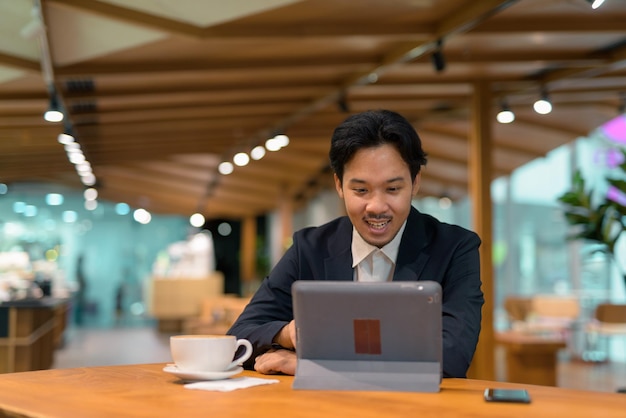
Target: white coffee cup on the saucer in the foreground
[{"x": 208, "y": 353}]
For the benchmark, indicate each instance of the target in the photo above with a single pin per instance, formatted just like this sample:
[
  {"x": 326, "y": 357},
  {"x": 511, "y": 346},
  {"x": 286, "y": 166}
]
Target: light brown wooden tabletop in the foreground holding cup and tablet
[{"x": 146, "y": 391}]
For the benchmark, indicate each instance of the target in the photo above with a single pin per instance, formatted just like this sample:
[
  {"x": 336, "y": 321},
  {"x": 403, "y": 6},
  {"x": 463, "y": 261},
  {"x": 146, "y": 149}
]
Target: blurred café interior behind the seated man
[{"x": 191, "y": 140}]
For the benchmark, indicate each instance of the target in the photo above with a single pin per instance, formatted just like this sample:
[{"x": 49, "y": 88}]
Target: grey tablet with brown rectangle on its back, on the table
[{"x": 368, "y": 335}]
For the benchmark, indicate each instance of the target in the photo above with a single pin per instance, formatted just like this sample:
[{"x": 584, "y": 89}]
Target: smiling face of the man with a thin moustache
[{"x": 377, "y": 191}]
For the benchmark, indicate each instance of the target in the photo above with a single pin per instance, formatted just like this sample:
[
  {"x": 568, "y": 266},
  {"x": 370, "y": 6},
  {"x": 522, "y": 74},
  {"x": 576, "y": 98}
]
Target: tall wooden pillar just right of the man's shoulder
[{"x": 480, "y": 174}]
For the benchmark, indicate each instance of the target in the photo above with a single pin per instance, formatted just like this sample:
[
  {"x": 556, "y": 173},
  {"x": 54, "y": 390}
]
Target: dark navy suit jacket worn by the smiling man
[{"x": 429, "y": 250}]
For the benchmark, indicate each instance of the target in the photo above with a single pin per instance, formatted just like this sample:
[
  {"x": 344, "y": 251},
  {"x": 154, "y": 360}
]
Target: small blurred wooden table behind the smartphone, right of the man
[{"x": 531, "y": 358}]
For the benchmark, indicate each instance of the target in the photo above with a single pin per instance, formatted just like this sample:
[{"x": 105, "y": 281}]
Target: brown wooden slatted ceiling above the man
[{"x": 159, "y": 94}]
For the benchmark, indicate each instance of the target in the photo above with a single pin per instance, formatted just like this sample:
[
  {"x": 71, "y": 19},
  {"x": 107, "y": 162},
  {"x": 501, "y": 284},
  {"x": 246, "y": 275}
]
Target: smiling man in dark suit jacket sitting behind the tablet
[{"x": 376, "y": 157}]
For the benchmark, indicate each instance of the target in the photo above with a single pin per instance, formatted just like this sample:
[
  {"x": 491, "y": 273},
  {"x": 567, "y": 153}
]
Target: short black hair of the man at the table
[{"x": 374, "y": 128}]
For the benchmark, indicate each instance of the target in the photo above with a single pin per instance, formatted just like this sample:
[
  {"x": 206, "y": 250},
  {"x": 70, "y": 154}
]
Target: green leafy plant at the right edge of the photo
[{"x": 599, "y": 218}]
